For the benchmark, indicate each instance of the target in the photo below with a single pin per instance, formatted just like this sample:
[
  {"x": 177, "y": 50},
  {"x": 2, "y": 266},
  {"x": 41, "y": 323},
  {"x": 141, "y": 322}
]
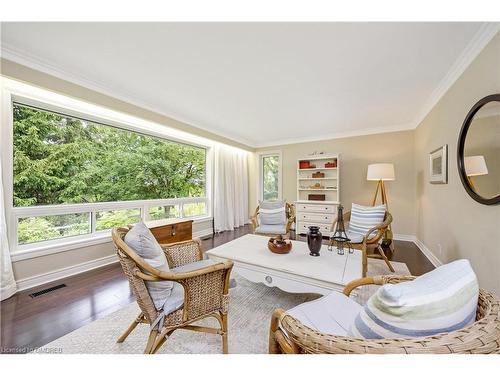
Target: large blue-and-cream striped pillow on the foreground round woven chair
[{"x": 442, "y": 300}]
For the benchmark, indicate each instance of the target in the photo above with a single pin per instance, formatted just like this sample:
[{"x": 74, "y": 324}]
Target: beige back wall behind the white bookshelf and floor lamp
[{"x": 356, "y": 154}]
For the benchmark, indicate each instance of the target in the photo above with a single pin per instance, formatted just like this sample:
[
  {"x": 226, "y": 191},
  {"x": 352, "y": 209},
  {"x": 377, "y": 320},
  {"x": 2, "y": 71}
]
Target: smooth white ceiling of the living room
[{"x": 258, "y": 83}]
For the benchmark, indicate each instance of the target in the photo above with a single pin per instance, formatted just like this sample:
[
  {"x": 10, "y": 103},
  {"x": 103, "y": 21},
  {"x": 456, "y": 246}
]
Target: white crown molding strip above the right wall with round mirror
[{"x": 482, "y": 37}]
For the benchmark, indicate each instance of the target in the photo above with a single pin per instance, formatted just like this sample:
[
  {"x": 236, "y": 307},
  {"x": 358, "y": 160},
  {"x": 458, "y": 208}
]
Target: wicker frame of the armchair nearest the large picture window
[{"x": 205, "y": 290}]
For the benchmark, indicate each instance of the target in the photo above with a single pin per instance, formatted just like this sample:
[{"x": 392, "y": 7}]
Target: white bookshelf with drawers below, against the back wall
[{"x": 317, "y": 212}]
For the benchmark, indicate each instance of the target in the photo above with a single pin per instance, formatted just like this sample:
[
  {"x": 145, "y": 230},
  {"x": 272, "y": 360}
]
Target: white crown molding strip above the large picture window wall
[{"x": 8, "y": 52}]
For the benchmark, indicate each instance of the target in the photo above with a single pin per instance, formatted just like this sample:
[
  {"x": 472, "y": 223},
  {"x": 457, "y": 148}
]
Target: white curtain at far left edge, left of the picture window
[{"x": 7, "y": 283}]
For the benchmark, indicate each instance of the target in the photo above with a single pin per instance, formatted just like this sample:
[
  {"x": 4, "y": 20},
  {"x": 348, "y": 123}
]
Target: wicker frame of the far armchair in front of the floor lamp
[{"x": 369, "y": 246}]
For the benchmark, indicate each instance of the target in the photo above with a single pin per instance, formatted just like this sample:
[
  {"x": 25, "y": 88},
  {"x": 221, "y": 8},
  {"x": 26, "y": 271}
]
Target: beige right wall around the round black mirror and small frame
[{"x": 449, "y": 222}]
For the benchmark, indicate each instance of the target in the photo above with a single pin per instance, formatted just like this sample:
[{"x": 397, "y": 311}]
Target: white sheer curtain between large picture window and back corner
[{"x": 230, "y": 188}]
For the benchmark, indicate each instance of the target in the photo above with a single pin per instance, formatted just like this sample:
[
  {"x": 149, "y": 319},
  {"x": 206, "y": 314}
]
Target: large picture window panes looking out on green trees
[{"x": 110, "y": 176}]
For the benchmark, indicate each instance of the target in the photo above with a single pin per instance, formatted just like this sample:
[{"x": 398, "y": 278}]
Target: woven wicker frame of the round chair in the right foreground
[{"x": 289, "y": 335}]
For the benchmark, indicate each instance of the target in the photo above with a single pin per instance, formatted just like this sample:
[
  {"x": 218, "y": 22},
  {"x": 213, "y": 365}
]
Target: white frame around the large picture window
[{"x": 16, "y": 92}]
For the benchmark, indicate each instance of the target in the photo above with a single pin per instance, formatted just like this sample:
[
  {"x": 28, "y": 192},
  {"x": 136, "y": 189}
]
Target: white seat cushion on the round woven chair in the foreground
[{"x": 332, "y": 314}]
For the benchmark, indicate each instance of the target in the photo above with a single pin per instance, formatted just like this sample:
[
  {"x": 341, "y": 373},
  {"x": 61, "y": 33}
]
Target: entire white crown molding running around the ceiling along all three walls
[{"x": 474, "y": 47}]
